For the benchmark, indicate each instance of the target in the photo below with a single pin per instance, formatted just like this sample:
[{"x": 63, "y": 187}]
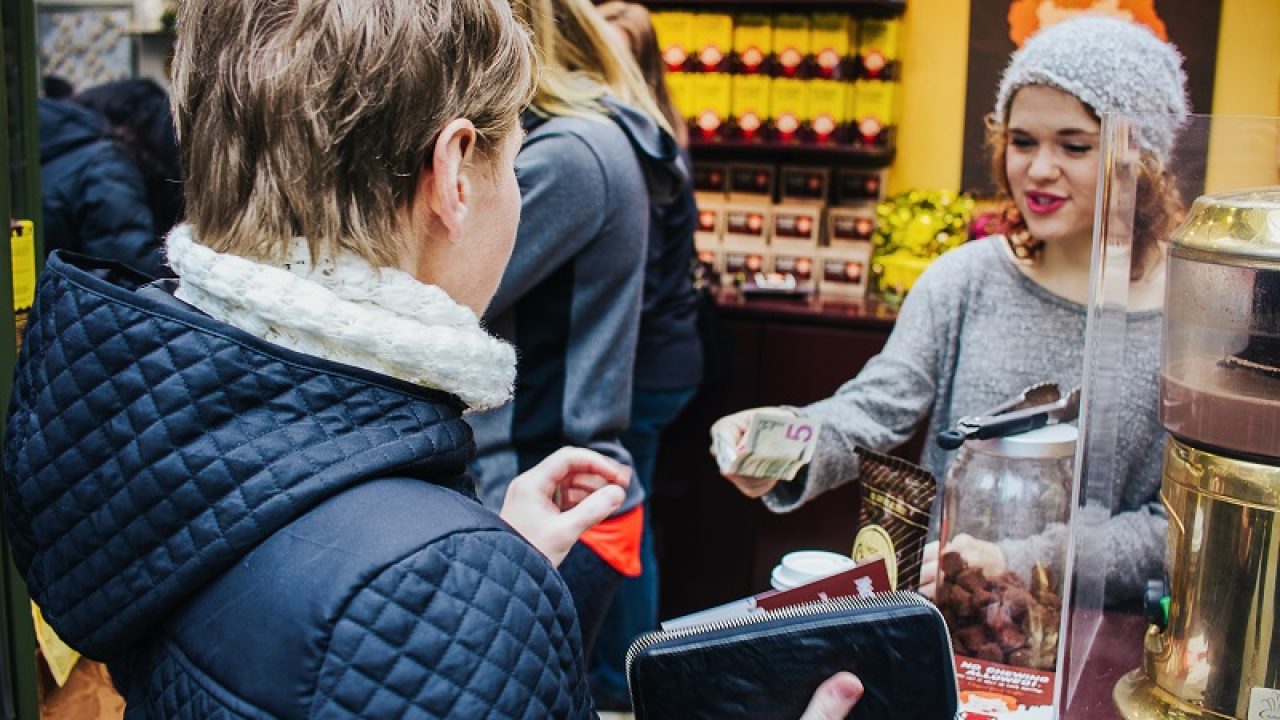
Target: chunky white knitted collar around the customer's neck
[{"x": 350, "y": 312}]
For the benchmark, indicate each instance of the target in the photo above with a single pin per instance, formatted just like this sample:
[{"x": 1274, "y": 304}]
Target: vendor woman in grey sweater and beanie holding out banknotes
[{"x": 1000, "y": 315}]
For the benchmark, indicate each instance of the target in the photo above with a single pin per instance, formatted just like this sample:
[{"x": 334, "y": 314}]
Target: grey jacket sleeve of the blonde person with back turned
[{"x": 564, "y": 186}]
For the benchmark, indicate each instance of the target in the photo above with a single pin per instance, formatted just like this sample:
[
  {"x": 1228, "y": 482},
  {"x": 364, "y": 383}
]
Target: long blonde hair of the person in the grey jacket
[{"x": 582, "y": 62}]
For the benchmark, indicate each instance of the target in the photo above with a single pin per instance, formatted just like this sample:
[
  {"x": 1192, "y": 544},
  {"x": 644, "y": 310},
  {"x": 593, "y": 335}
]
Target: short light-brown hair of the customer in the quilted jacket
[{"x": 317, "y": 119}]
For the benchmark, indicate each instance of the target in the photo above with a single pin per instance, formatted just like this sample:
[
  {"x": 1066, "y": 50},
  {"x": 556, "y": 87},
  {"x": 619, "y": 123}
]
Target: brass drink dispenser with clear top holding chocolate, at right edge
[{"x": 1219, "y": 655}]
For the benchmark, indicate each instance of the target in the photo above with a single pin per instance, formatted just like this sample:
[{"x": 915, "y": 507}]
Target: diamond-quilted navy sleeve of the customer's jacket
[{"x": 476, "y": 626}]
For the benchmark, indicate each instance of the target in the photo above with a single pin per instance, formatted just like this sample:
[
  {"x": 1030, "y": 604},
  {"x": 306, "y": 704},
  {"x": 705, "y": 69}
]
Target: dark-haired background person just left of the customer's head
[{"x": 141, "y": 122}]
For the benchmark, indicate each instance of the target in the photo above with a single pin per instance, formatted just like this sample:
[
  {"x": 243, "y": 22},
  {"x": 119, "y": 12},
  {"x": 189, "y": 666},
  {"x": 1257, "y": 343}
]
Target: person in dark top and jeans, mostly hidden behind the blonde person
[{"x": 669, "y": 361}]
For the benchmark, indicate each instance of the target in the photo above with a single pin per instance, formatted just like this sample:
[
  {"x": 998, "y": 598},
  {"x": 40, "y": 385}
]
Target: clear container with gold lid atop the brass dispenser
[{"x": 1220, "y": 373}]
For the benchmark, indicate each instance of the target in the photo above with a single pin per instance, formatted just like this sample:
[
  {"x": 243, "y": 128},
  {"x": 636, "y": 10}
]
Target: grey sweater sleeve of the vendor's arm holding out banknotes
[{"x": 884, "y": 404}]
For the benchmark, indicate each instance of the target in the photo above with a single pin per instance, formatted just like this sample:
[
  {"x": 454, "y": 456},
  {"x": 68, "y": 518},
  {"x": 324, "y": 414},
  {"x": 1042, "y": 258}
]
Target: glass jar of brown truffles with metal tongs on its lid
[{"x": 1002, "y": 596}]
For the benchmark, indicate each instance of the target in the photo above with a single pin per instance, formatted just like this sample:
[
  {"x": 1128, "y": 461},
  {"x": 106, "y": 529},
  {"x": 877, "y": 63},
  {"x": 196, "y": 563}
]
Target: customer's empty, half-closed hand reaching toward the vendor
[{"x": 561, "y": 498}]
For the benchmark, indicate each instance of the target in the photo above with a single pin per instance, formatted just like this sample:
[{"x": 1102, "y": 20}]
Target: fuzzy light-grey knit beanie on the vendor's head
[{"x": 1112, "y": 66}]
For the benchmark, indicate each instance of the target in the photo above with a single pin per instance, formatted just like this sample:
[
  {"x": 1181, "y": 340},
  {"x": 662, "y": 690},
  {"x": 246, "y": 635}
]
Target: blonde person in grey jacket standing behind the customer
[{"x": 597, "y": 156}]
